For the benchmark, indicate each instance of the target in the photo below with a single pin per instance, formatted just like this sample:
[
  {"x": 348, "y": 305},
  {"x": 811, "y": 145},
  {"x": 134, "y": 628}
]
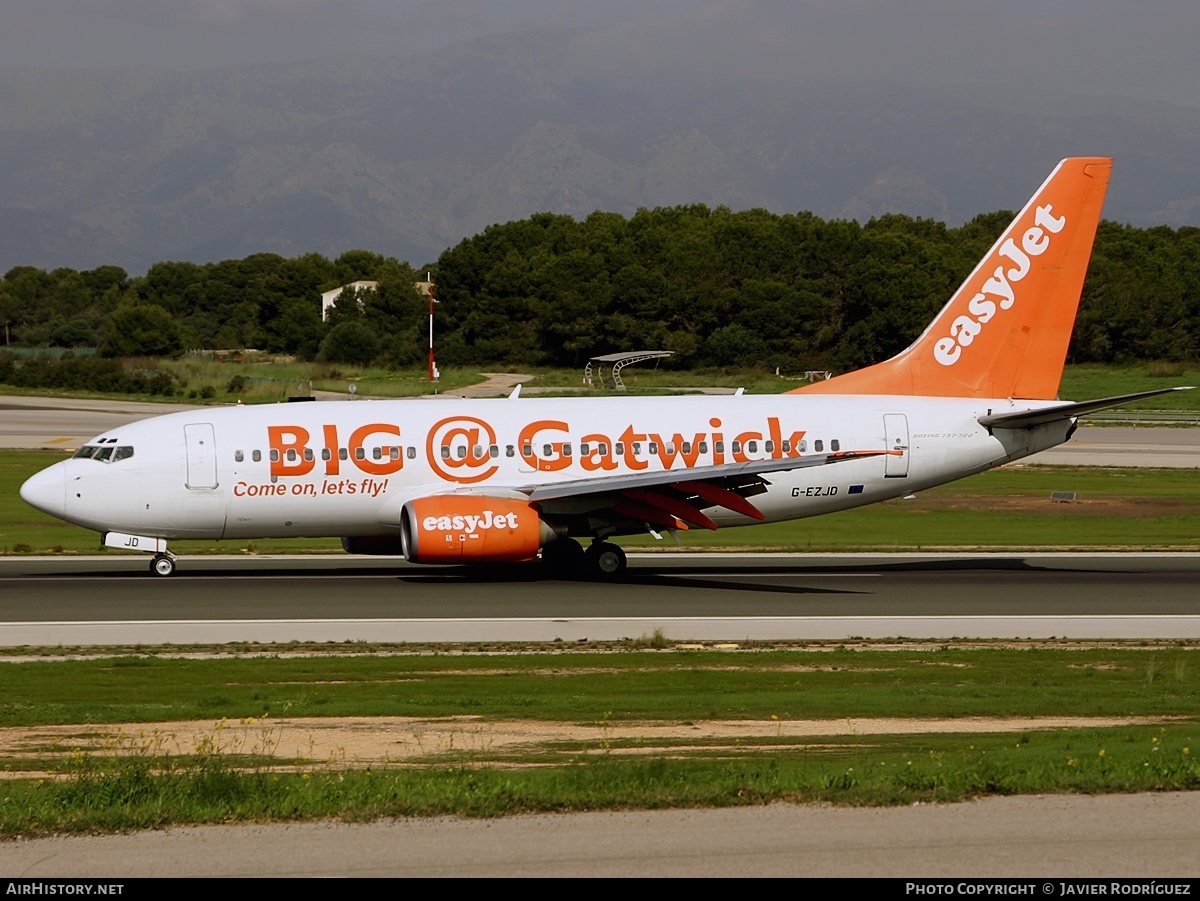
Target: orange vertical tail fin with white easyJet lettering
[{"x": 1005, "y": 333}]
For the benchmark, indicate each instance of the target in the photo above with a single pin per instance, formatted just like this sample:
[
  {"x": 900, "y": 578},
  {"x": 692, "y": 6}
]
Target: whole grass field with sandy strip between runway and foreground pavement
[{"x": 647, "y": 718}]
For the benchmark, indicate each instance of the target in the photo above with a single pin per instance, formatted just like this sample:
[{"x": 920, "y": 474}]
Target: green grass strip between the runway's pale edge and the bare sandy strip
[{"x": 623, "y": 686}]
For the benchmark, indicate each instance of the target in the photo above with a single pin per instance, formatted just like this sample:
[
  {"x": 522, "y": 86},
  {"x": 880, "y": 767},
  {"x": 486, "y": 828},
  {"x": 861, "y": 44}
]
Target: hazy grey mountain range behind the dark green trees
[{"x": 407, "y": 157}]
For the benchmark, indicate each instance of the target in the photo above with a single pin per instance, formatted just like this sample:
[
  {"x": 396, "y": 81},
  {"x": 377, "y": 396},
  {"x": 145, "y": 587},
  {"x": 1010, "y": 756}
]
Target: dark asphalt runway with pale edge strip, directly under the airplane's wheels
[{"x": 95, "y": 602}]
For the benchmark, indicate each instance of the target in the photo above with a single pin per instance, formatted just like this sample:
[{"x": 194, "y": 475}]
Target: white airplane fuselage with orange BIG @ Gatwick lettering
[{"x": 345, "y": 470}]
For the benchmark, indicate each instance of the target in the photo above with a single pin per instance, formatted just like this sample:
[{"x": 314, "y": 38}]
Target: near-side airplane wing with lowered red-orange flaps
[{"x": 674, "y": 498}]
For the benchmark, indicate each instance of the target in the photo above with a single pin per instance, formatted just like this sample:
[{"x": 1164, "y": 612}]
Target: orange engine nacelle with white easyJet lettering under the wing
[{"x": 470, "y": 528}]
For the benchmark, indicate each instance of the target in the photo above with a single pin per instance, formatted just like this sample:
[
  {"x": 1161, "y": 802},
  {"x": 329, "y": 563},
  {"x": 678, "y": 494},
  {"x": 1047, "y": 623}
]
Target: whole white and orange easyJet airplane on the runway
[{"x": 463, "y": 482}]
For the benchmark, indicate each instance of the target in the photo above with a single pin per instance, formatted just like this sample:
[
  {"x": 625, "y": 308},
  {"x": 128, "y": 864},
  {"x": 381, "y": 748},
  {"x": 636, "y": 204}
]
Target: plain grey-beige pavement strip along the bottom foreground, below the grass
[{"x": 1153, "y": 837}]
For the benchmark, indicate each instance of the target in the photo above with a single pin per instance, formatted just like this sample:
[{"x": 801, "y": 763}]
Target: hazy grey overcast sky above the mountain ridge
[{"x": 1145, "y": 50}]
